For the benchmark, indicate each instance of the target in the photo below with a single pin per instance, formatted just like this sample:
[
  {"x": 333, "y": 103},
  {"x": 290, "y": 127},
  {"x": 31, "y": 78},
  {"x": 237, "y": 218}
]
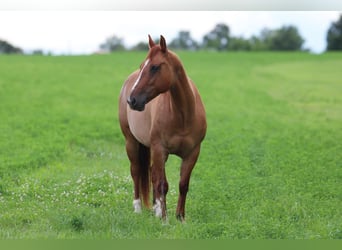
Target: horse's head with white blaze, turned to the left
[{"x": 155, "y": 76}]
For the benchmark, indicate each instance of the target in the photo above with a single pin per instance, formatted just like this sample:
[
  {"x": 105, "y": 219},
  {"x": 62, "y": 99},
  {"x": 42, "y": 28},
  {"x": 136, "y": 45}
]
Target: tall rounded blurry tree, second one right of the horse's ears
[{"x": 218, "y": 38}]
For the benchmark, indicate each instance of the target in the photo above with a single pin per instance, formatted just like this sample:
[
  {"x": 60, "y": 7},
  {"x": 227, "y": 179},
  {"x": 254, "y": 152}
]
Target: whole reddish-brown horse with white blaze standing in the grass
[{"x": 161, "y": 113}]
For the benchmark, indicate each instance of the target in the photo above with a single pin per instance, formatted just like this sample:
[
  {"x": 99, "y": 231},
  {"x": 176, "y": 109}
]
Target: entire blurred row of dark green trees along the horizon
[{"x": 285, "y": 38}]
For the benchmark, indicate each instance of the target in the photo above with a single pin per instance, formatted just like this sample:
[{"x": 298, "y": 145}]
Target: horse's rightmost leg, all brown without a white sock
[{"x": 187, "y": 166}]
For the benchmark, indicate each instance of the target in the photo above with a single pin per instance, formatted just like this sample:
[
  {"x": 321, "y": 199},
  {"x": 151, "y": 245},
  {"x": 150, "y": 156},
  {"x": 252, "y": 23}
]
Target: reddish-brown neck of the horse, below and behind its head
[{"x": 182, "y": 97}]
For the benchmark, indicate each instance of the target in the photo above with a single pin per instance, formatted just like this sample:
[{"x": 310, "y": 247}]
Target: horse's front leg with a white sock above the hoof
[{"x": 159, "y": 181}]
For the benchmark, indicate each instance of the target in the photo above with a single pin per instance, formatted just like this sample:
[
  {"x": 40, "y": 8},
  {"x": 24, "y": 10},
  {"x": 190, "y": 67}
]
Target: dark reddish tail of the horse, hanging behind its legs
[{"x": 145, "y": 176}]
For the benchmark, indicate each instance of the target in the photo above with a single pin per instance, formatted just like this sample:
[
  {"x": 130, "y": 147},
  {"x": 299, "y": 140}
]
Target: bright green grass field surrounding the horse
[{"x": 270, "y": 166}]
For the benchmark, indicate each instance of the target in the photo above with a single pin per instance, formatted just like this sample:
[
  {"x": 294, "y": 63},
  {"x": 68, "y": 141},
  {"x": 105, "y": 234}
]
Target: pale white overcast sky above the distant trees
[{"x": 81, "y": 32}]
